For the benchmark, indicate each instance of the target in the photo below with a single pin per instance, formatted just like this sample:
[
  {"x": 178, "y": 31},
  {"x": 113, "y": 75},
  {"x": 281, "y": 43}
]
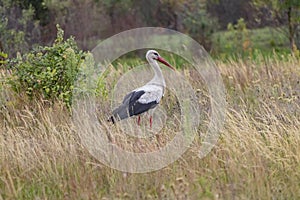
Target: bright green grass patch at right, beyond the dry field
[{"x": 263, "y": 41}]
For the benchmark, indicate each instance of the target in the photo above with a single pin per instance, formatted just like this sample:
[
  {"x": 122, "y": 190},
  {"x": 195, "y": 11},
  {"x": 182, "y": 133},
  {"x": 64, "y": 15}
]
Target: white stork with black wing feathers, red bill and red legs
[{"x": 144, "y": 98}]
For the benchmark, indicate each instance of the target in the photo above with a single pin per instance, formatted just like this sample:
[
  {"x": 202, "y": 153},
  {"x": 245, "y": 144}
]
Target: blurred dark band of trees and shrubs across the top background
[{"x": 27, "y": 23}]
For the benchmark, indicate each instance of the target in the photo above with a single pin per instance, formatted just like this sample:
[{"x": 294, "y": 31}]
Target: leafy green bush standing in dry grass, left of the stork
[{"x": 48, "y": 71}]
